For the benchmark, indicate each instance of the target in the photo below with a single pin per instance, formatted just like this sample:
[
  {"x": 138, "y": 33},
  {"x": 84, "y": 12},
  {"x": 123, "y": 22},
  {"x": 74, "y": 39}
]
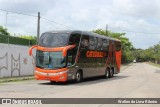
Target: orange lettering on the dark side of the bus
[{"x": 95, "y": 54}]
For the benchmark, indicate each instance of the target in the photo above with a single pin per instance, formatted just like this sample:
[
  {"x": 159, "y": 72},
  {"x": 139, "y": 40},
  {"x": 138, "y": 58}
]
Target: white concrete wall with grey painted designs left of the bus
[{"x": 15, "y": 61}]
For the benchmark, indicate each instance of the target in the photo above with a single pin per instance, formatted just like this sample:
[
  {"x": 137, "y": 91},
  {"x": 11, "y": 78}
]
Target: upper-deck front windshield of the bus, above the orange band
[{"x": 54, "y": 39}]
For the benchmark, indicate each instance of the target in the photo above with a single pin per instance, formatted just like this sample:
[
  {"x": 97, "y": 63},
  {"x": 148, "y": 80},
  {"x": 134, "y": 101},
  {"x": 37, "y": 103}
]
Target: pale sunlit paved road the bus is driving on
[{"x": 138, "y": 80}]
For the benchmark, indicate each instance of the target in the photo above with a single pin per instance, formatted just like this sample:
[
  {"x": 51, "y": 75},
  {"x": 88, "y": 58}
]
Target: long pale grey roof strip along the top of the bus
[{"x": 84, "y": 32}]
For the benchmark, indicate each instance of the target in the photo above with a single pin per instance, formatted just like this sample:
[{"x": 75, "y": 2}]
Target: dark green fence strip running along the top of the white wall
[{"x": 16, "y": 40}]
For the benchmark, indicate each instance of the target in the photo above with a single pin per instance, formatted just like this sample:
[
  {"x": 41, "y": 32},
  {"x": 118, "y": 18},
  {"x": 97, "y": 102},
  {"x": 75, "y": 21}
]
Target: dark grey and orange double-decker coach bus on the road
[{"x": 74, "y": 55}]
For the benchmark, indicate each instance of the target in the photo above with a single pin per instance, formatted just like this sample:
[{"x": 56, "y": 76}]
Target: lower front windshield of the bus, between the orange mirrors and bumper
[{"x": 50, "y": 60}]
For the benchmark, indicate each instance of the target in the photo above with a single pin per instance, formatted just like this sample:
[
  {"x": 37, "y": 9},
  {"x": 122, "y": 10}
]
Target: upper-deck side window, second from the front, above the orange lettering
[{"x": 92, "y": 43}]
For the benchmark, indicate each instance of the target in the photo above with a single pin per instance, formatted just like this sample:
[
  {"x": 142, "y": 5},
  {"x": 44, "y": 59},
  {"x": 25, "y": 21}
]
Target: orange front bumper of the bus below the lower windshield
[{"x": 58, "y": 77}]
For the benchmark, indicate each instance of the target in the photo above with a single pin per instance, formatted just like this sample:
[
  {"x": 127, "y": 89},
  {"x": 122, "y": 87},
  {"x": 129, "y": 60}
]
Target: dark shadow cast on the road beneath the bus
[{"x": 86, "y": 81}]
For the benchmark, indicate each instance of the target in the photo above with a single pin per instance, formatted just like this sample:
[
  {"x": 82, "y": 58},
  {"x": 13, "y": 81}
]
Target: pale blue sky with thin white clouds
[{"x": 139, "y": 19}]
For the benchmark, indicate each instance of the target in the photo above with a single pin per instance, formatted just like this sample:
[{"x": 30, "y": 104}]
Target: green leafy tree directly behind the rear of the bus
[{"x": 127, "y": 46}]
